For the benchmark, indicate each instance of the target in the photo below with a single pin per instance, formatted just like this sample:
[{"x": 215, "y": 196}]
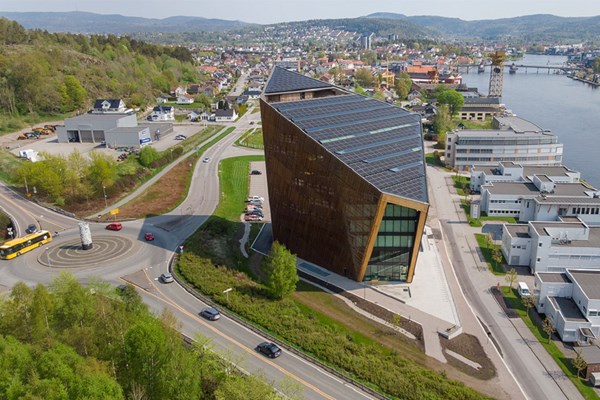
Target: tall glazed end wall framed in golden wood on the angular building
[{"x": 392, "y": 250}]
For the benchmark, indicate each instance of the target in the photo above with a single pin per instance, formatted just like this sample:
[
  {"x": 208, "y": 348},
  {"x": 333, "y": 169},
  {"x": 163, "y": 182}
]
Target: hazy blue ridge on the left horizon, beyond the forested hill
[{"x": 85, "y": 22}]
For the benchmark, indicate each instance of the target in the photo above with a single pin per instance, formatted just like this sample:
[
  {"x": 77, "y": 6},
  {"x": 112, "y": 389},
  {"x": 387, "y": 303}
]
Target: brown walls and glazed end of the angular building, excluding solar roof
[{"x": 327, "y": 213}]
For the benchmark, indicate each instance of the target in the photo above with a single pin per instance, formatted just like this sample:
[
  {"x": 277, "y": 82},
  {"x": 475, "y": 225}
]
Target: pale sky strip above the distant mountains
[{"x": 272, "y": 11}]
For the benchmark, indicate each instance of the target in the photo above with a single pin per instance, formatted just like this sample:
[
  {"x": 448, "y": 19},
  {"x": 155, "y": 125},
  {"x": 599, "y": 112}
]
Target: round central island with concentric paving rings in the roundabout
[{"x": 69, "y": 253}]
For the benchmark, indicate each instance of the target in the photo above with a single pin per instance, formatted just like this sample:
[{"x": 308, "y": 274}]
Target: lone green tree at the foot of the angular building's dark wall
[{"x": 280, "y": 267}]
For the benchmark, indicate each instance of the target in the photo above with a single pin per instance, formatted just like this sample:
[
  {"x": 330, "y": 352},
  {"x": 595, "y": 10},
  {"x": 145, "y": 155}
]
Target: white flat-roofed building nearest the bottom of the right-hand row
[{"x": 571, "y": 300}]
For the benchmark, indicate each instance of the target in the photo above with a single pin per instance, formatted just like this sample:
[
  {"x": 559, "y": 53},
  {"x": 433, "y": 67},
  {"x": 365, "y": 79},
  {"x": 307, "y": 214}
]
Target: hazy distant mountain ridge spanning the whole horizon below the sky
[{"x": 539, "y": 27}]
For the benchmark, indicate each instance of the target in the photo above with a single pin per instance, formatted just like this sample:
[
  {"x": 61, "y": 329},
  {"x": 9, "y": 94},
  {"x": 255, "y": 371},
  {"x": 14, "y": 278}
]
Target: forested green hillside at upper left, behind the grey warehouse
[{"x": 60, "y": 73}]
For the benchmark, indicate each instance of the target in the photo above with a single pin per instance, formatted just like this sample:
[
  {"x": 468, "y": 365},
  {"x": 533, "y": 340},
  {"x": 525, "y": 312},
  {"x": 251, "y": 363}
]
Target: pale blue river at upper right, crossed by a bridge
[{"x": 569, "y": 108}]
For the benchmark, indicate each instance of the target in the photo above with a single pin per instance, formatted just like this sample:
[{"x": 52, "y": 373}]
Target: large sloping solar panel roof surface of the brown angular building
[{"x": 379, "y": 141}]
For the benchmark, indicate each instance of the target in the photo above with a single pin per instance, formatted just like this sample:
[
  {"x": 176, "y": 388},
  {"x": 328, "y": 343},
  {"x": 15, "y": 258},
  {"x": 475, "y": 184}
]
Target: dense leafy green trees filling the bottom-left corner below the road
[{"x": 70, "y": 341}]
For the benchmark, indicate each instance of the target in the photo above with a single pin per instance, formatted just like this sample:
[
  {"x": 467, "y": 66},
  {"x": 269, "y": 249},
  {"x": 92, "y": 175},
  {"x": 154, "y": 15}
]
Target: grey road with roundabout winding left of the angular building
[{"x": 127, "y": 255}]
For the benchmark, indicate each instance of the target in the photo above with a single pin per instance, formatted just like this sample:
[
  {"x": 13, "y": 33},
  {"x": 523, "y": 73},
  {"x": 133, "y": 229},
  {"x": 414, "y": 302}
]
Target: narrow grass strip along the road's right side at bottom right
[{"x": 534, "y": 324}]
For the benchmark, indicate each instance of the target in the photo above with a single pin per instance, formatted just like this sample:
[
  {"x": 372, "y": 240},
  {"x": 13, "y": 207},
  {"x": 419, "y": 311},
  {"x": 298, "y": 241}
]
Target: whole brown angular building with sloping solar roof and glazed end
[{"x": 346, "y": 178}]
